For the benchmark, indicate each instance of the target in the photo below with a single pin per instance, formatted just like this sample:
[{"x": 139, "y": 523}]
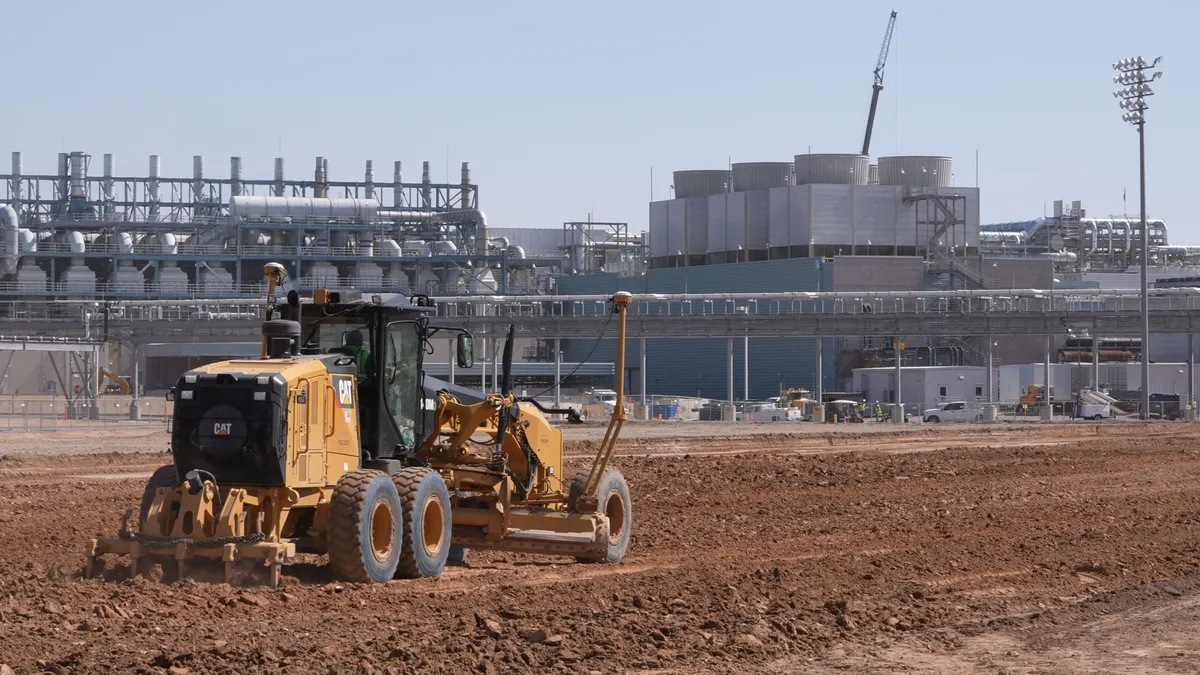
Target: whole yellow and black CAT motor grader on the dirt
[{"x": 335, "y": 443}]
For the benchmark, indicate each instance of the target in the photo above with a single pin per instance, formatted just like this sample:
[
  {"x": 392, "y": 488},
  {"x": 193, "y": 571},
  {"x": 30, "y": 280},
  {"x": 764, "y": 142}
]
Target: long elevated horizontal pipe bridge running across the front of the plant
[{"x": 713, "y": 315}]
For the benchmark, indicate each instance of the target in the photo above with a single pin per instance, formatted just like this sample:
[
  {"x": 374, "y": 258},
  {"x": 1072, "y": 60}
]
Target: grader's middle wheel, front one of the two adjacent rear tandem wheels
[{"x": 427, "y": 507}]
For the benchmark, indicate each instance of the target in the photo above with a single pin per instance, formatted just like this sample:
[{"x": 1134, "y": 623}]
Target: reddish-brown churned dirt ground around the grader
[{"x": 1012, "y": 549}]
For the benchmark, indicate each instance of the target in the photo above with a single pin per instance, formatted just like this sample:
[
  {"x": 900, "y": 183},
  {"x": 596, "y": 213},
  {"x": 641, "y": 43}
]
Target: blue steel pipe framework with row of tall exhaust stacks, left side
[{"x": 83, "y": 234}]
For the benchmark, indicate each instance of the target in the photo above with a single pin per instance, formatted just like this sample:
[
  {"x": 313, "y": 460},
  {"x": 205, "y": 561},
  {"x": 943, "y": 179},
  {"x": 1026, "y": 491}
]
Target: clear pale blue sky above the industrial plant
[{"x": 563, "y": 107}]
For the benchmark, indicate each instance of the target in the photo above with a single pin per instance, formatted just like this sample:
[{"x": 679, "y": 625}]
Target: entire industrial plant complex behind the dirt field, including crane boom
[{"x": 124, "y": 256}]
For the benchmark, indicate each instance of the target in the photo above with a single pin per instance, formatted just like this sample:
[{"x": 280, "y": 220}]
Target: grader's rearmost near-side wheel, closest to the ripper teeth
[{"x": 365, "y": 528}]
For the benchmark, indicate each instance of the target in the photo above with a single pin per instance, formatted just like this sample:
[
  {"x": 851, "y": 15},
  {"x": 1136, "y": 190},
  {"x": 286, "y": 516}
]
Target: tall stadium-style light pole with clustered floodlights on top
[{"x": 1135, "y": 80}]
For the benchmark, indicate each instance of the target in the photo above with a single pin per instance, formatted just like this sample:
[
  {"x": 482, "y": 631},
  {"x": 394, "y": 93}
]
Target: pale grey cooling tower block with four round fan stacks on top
[{"x": 819, "y": 206}]
